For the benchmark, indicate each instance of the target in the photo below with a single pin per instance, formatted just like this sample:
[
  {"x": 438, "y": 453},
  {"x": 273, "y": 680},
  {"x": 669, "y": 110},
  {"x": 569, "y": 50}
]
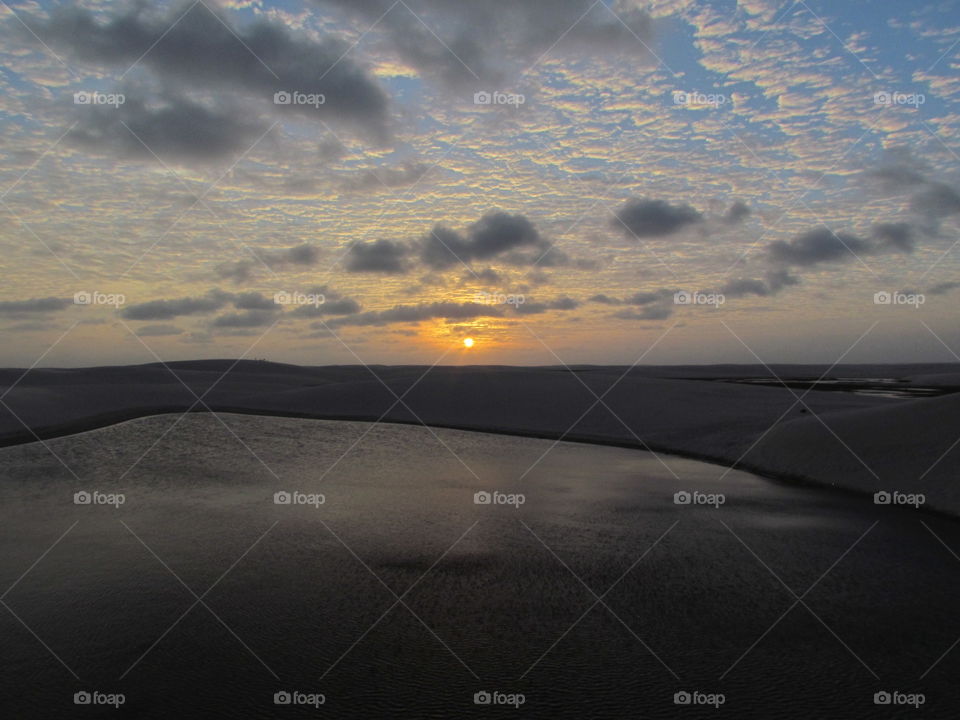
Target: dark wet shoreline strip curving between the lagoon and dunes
[{"x": 105, "y": 420}]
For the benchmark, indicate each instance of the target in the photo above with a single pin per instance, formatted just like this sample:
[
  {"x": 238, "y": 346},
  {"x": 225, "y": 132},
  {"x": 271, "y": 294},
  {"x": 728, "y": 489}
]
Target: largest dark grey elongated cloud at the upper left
[{"x": 194, "y": 46}]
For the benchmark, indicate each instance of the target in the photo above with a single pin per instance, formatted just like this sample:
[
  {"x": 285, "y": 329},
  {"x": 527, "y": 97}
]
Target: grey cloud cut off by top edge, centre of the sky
[{"x": 488, "y": 41}]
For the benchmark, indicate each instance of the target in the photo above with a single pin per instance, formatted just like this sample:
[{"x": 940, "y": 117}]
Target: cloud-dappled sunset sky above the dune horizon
[{"x": 561, "y": 181}]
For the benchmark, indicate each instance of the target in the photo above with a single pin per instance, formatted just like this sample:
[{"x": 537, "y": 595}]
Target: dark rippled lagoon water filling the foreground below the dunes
[{"x": 494, "y": 597}]
